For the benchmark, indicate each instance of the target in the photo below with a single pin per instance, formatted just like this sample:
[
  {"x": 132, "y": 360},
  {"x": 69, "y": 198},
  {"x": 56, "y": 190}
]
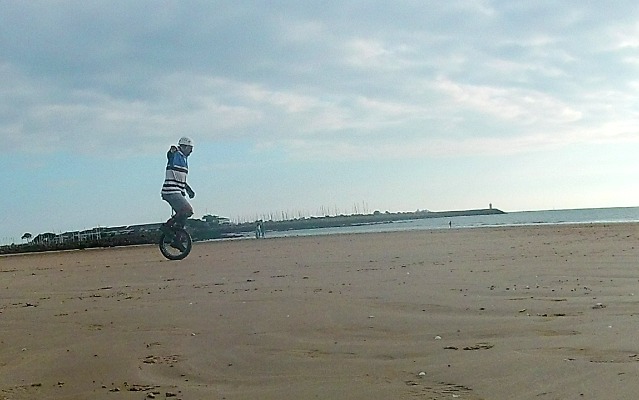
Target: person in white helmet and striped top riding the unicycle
[{"x": 175, "y": 188}]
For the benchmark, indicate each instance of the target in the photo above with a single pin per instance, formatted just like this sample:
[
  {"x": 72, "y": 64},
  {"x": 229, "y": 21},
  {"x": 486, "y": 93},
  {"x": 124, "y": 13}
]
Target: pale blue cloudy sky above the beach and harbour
[{"x": 305, "y": 108}]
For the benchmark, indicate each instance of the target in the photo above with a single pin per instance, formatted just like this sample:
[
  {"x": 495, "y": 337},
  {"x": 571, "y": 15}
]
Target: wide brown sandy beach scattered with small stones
[{"x": 548, "y": 312}]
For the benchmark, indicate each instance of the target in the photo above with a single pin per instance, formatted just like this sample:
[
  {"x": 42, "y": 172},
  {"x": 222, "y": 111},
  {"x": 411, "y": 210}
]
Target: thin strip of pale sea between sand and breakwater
[{"x": 519, "y": 218}]
